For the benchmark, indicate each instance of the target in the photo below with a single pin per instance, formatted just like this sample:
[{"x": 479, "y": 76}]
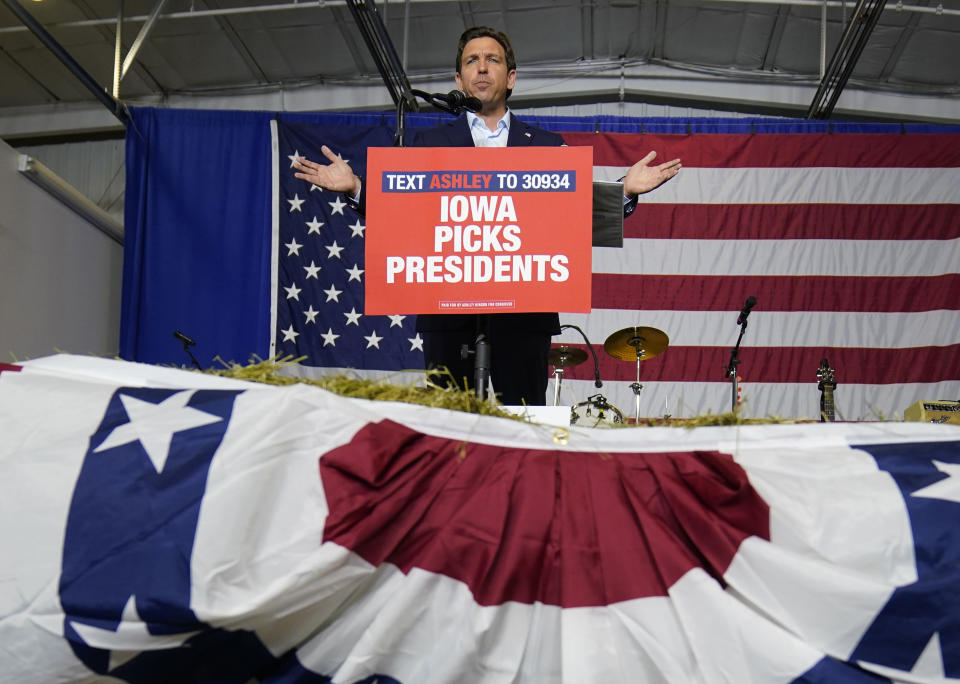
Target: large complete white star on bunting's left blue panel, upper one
[{"x": 155, "y": 424}]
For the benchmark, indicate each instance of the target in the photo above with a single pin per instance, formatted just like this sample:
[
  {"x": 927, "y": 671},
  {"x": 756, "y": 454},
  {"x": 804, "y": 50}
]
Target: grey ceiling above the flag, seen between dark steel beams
[{"x": 748, "y": 56}]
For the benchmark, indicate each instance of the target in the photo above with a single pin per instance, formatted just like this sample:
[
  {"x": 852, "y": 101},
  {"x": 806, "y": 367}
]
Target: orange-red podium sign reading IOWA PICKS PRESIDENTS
[{"x": 478, "y": 230}]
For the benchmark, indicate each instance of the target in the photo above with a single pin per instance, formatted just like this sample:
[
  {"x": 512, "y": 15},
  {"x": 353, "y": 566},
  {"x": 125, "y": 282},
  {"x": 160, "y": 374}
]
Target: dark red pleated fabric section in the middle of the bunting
[{"x": 521, "y": 524}]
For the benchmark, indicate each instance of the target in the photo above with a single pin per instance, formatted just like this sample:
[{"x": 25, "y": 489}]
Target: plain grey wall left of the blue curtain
[{"x": 59, "y": 275}]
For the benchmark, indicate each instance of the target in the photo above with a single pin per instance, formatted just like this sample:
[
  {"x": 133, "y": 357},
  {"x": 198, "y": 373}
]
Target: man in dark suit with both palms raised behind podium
[{"x": 486, "y": 69}]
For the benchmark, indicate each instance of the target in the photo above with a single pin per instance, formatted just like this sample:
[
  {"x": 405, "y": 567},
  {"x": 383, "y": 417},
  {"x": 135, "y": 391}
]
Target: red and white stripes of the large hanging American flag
[{"x": 849, "y": 242}]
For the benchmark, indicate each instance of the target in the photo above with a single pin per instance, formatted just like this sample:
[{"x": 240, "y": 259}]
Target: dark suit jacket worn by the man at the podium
[{"x": 456, "y": 133}]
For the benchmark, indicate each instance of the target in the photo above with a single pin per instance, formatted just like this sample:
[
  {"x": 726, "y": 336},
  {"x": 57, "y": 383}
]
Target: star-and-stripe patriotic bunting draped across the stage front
[{"x": 164, "y": 526}]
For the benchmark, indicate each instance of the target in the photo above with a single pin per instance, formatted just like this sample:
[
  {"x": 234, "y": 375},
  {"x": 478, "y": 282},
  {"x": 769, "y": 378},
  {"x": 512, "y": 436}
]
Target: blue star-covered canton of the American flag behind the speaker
[{"x": 320, "y": 268}]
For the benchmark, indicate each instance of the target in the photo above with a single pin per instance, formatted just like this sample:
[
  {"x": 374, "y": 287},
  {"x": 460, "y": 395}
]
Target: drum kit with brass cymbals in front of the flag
[{"x": 633, "y": 344}]
